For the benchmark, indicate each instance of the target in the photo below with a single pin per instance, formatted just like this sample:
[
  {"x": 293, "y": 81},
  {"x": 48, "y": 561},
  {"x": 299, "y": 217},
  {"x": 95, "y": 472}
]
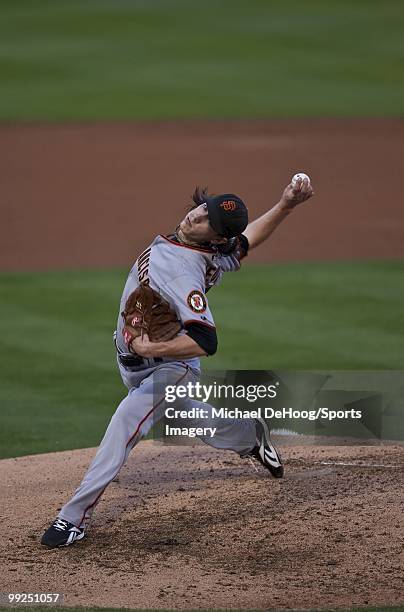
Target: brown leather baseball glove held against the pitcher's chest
[{"x": 147, "y": 312}]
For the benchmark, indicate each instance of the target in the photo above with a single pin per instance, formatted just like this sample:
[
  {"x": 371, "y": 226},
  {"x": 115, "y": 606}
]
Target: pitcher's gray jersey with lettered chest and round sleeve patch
[{"x": 182, "y": 275}]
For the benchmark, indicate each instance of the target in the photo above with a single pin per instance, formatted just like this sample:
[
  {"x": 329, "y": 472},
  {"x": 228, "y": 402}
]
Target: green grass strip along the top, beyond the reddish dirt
[{"x": 120, "y": 59}]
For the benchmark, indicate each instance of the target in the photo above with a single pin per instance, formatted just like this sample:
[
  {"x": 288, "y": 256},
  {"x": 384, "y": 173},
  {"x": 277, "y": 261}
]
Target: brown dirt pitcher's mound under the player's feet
[{"x": 189, "y": 527}]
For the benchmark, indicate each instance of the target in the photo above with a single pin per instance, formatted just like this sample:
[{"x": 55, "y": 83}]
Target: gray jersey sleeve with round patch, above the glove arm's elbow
[{"x": 189, "y": 301}]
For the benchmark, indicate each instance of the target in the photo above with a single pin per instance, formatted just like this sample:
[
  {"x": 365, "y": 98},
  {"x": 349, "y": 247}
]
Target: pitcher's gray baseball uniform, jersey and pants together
[{"x": 182, "y": 274}]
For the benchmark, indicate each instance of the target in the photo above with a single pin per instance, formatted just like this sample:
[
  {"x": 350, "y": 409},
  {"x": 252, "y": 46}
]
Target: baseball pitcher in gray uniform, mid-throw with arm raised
[{"x": 164, "y": 327}]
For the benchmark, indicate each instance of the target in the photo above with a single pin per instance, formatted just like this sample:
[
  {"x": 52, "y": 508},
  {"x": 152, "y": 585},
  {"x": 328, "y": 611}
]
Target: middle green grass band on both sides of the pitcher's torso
[{"x": 59, "y": 383}]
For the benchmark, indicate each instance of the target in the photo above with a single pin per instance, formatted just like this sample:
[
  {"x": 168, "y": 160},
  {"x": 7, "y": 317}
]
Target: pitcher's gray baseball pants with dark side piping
[{"x": 144, "y": 405}]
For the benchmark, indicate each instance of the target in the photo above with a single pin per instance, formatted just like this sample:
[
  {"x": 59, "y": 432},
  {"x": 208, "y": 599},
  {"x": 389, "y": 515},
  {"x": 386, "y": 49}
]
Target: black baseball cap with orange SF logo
[{"x": 228, "y": 215}]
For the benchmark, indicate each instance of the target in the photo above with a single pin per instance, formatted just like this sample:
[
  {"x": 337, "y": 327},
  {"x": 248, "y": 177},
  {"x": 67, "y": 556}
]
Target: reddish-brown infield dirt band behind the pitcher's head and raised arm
[{"x": 94, "y": 195}]
